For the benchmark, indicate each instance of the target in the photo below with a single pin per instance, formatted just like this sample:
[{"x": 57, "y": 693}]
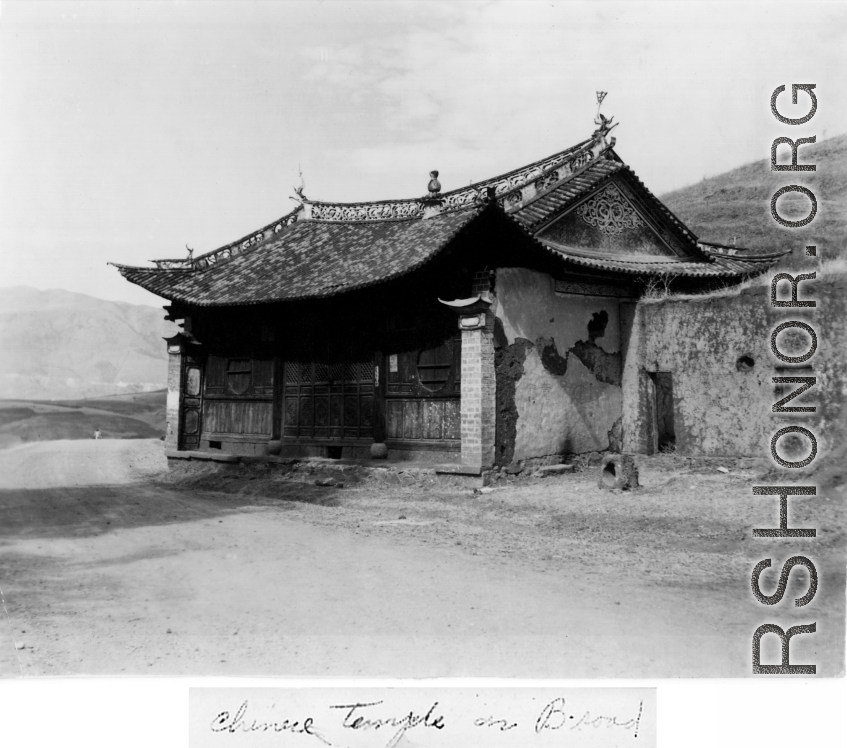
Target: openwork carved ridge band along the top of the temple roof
[{"x": 556, "y": 167}]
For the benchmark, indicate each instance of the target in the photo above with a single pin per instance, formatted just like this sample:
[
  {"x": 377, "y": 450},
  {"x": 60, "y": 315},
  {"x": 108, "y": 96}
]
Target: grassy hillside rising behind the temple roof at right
[{"x": 734, "y": 207}]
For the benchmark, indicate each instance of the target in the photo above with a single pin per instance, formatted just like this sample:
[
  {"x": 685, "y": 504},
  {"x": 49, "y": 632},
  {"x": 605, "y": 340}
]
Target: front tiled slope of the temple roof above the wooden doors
[{"x": 309, "y": 259}]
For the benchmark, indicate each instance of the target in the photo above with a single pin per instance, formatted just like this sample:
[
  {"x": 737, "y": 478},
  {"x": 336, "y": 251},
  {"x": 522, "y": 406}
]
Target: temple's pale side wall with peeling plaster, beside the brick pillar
[{"x": 558, "y": 389}]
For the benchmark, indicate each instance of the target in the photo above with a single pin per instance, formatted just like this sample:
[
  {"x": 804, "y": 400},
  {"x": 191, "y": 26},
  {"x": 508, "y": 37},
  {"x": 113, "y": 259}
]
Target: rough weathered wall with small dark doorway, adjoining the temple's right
[{"x": 719, "y": 410}]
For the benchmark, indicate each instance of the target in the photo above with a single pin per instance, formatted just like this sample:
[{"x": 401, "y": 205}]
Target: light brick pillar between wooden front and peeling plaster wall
[{"x": 478, "y": 390}]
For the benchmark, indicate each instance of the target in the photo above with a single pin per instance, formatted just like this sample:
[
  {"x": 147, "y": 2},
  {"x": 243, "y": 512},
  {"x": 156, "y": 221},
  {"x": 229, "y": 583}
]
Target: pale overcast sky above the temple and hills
[{"x": 130, "y": 129}]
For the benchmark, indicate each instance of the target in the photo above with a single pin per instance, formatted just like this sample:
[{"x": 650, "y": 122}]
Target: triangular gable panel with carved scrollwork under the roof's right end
[{"x": 608, "y": 223}]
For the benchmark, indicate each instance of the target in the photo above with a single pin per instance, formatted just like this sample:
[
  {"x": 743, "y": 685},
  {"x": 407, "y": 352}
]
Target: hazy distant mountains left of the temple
[{"x": 58, "y": 344}]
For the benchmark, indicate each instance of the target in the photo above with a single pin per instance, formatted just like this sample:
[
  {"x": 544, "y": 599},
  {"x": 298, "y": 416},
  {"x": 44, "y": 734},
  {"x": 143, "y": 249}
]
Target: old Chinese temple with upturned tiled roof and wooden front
[{"x": 479, "y": 327}]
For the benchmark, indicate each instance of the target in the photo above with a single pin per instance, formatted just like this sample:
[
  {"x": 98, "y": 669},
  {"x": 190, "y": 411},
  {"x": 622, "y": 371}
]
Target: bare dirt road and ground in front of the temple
[{"x": 111, "y": 565}]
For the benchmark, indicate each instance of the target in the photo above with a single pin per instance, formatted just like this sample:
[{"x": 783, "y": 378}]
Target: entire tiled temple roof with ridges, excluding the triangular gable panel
[{"x": 323, "y": 249}]
